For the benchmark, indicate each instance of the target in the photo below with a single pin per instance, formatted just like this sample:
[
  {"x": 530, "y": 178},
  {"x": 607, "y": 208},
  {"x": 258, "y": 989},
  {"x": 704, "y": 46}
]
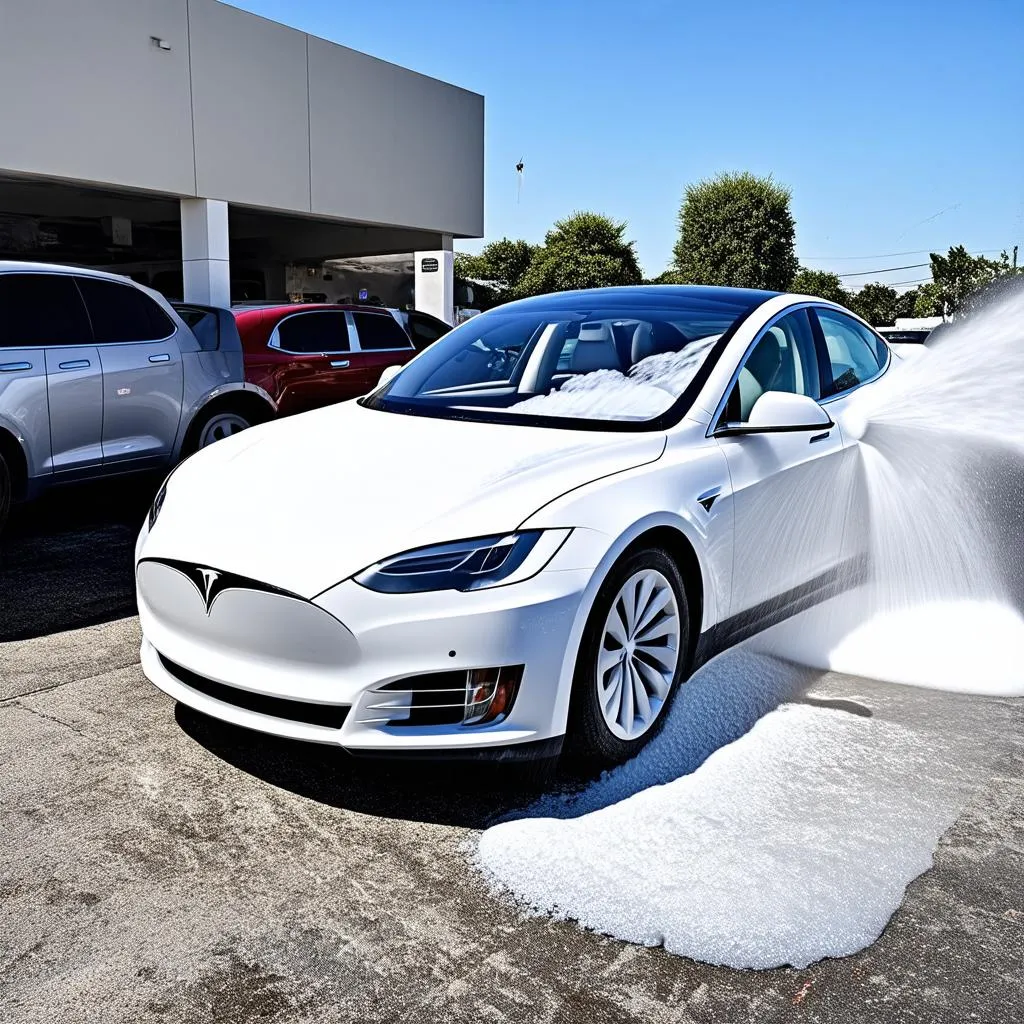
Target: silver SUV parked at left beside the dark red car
[{"x": 101, "y": 376}]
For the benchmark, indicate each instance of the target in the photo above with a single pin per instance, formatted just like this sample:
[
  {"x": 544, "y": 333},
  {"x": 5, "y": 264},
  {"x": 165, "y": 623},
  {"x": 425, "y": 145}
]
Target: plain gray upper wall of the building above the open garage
[{"x": 240, "y": 109}]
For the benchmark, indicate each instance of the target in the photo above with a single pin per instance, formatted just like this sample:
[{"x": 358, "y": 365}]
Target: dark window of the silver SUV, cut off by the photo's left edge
[{"x": 41, "y": 310}]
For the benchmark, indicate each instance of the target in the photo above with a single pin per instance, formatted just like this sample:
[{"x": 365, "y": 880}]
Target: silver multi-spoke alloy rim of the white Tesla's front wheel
[{"x": 639, "y": 655}]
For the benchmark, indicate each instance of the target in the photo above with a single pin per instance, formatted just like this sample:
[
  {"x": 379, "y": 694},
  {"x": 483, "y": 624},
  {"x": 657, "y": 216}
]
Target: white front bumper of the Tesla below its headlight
[{"x": 337, "y": 651}]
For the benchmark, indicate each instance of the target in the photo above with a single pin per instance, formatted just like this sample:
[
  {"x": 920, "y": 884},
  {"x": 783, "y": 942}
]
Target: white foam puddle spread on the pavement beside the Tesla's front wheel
[{"x": 784, "y": 847}]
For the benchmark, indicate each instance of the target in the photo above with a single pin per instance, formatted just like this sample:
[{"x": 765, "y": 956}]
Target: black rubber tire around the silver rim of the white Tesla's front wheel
[{"x": 589, "y": 738}]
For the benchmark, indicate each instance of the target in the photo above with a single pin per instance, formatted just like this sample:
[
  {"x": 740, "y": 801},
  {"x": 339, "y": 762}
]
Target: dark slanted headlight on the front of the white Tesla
[{"x": 473, "y": 565}]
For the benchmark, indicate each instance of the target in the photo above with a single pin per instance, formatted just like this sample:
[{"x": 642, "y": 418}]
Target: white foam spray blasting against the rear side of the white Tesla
[{"x": 942, "y": 513}]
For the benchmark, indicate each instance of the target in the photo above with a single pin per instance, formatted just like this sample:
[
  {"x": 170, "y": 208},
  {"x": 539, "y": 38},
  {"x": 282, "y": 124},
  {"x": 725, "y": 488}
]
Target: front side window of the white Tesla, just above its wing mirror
[{"x": 784, "y": 360}]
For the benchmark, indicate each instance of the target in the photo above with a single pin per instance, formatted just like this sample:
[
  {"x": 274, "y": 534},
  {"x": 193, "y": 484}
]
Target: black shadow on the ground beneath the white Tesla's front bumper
[{"x": 468, "y": 794}]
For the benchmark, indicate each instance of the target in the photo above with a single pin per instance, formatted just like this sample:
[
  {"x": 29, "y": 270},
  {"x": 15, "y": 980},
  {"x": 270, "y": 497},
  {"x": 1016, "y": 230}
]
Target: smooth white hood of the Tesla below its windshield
[{"x": 307, "y": 502}]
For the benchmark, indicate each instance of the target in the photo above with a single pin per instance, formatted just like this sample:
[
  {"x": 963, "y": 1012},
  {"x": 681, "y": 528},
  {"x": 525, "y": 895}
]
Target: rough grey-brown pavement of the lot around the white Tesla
[{"x": 156, "y": 866}]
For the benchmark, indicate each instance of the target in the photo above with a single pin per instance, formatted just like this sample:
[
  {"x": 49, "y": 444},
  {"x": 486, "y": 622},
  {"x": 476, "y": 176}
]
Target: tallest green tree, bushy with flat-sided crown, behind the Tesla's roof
[{"x": 737, "y": 230}]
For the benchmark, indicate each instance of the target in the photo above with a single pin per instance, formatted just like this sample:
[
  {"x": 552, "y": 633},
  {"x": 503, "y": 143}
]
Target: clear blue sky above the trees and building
[{"x": 899, "y": 126}]
